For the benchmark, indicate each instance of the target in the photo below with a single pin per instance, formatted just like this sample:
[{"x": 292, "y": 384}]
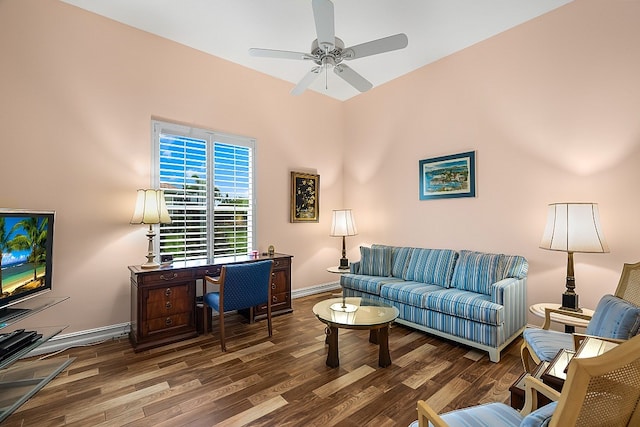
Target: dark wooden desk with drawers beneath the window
[{"x": 163, "y": 300}]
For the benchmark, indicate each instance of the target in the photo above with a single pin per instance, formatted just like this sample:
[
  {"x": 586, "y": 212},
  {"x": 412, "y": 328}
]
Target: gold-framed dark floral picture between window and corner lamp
[{"x": 305, "y": 197}]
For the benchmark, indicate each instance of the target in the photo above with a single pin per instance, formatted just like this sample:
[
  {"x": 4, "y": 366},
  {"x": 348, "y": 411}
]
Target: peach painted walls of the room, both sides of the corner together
[{"x": 550, "y": 107}]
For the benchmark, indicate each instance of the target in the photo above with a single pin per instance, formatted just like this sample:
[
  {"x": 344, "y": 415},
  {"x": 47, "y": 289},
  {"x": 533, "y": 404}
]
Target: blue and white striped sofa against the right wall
[{"x": 474, "y": 298}]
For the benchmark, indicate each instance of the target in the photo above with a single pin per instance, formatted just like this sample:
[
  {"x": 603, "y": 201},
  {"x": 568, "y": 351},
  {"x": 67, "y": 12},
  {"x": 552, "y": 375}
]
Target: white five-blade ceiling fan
[{"x": 328, "y": 51}]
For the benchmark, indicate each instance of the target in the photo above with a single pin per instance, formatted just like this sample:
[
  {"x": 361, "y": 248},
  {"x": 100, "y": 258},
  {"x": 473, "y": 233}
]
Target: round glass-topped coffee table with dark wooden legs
[{"x": 356, "y": 313}]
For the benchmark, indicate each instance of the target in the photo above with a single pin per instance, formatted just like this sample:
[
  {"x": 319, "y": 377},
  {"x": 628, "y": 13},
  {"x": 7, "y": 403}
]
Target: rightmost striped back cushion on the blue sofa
[{"x": 477, "y": 271}]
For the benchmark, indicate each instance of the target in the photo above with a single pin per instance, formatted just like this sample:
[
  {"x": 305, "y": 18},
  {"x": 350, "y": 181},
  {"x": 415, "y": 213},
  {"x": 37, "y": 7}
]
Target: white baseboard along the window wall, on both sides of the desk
[{"x": 93, "y": 336}]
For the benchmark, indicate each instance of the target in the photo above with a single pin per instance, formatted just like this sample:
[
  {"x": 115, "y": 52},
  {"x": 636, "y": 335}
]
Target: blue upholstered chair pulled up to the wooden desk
[{"x": 241, "y": 286}]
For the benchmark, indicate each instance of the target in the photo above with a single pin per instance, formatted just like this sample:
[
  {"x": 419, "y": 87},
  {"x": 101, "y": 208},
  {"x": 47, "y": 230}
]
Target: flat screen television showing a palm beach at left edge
[{"x": 26, "y": 244}]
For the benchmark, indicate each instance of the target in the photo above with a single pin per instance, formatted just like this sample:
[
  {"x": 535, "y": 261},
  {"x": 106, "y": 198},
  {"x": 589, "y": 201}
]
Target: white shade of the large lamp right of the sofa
[{"x": 574, "y": 227}]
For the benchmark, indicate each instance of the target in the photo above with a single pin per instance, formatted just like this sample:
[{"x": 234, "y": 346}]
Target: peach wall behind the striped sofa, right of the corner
[{"x": 551, "y": 109}]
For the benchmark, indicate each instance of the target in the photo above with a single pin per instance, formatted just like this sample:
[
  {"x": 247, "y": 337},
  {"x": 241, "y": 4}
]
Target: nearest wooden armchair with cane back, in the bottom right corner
[{"x": 599, "y": 391}]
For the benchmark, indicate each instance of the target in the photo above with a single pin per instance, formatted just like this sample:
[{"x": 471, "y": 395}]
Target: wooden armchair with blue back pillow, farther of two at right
[{"x": 616, "y": 317}]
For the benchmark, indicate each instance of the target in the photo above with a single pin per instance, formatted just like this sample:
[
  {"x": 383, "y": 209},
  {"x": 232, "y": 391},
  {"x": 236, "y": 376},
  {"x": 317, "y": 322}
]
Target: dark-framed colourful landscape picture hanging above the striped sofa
[{"x": 448, "y": 176}]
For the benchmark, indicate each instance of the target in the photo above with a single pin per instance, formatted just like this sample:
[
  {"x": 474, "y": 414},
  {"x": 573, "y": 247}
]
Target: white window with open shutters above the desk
[{"x": 208, "y": 180}]
